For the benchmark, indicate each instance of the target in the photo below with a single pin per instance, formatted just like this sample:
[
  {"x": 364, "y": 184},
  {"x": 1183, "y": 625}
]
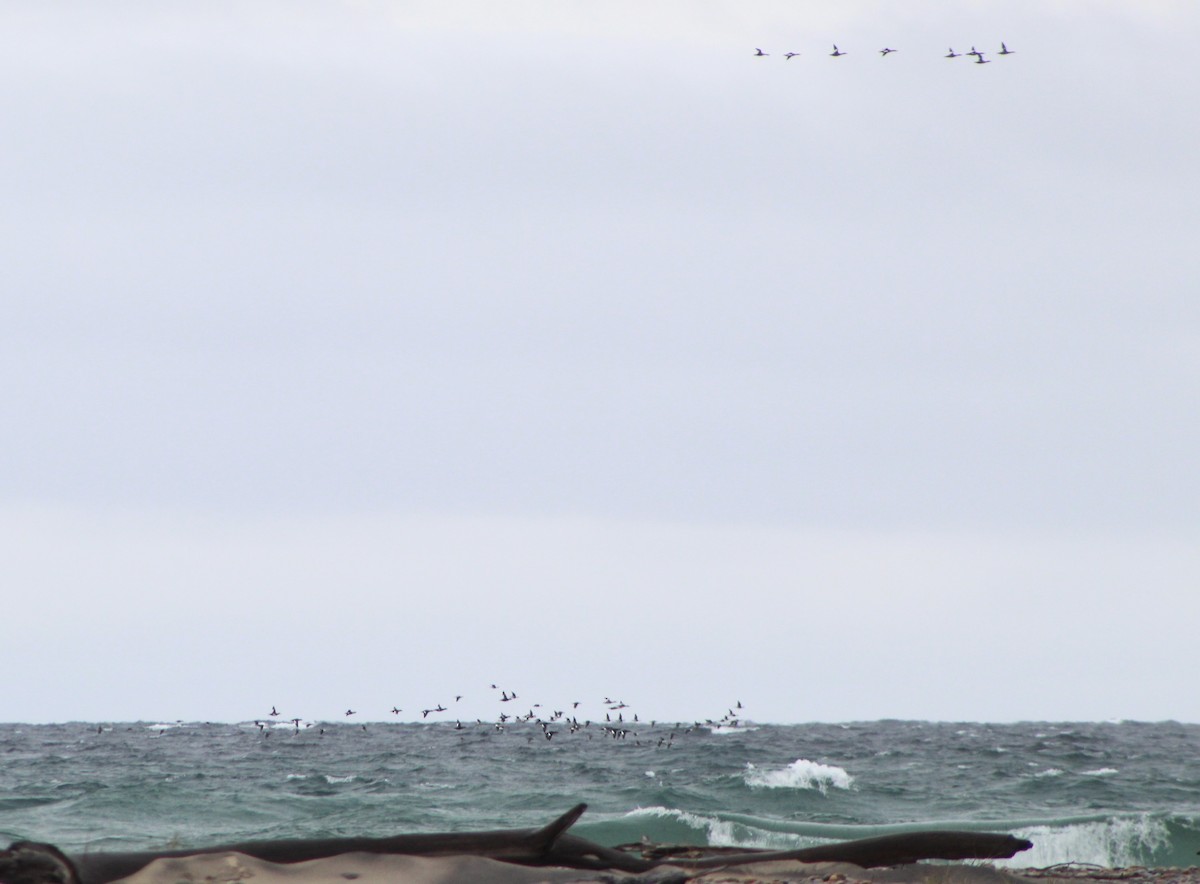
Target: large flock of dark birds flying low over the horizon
[{"x": 620, "y": 723}]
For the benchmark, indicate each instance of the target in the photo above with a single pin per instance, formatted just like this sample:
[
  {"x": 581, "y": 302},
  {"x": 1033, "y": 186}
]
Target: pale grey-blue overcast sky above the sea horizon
[{"x": 358, "y": 354}]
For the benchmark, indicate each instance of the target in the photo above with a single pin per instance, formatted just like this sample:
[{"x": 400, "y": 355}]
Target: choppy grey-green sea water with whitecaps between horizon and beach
[{"x": 1114, "y": 795}]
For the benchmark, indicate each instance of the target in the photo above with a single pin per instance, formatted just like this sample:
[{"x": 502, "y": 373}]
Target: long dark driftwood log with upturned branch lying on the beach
[{"x": 27, "y": 863}]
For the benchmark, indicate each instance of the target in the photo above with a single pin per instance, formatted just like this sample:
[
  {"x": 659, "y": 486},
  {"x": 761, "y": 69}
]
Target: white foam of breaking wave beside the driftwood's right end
[{"x": 1117, "y": 843}]
